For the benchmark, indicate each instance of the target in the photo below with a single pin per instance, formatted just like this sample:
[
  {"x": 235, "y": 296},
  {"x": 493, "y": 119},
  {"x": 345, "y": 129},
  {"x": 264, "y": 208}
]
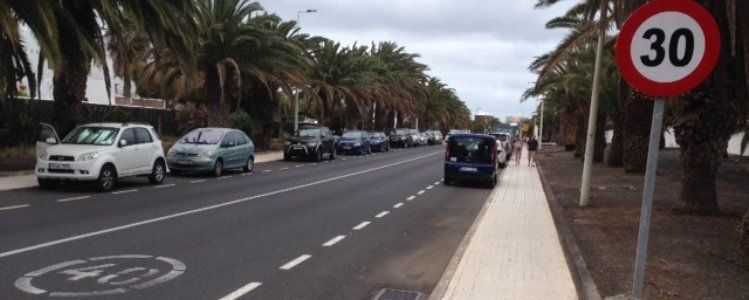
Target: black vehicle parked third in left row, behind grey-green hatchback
[{"x": 311, "y": 143}]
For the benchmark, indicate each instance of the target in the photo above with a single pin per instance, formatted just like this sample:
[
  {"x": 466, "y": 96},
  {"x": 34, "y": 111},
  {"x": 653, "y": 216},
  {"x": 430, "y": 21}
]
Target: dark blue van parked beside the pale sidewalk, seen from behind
[{"x": 471, "y": 157}]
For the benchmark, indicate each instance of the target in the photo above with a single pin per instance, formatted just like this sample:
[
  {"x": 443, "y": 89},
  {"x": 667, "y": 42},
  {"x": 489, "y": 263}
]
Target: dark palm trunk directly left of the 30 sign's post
[{"x": 638, "y": 114}]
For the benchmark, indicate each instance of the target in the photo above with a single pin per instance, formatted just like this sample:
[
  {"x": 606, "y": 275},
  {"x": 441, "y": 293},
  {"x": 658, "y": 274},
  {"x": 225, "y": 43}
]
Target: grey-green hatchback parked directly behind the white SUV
[{"x": 212, "y": 150}]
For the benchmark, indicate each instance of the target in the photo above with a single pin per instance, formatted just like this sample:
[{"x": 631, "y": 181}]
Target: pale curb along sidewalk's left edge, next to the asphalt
[{"x": 441, "y": 288}]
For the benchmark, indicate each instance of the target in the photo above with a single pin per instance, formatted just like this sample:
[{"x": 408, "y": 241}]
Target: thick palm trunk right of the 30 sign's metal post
[{"x": 706, "y": 120}]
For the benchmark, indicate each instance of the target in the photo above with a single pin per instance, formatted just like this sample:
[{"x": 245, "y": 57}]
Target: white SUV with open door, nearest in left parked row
[{"x": 101, "y": 152}]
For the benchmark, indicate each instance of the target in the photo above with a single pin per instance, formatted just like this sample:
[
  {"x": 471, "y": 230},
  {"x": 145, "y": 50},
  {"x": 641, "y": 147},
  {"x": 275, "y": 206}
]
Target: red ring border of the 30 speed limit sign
[{"x": 676, "y": 88}]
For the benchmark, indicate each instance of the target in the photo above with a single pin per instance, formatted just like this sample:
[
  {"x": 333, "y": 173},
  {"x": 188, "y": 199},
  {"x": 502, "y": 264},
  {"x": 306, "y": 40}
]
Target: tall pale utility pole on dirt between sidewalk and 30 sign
[{"x": 591, "y": 136}]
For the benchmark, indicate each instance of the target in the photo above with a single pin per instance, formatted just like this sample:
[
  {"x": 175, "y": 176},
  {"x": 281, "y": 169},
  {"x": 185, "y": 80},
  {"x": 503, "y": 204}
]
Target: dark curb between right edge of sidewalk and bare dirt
[{"x": 586, "y": 287}]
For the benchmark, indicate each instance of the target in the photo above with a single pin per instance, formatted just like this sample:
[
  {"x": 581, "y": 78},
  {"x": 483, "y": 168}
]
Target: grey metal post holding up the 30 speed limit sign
[{"x": 647, "y": 199}]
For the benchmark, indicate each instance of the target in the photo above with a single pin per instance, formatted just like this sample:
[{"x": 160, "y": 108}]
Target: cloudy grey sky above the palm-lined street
[{"x": 481, "y": 48}]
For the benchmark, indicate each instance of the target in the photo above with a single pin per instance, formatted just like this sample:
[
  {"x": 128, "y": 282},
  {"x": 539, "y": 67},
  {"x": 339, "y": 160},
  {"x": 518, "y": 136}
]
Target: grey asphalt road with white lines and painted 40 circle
[{"x": 290, "y": 230}]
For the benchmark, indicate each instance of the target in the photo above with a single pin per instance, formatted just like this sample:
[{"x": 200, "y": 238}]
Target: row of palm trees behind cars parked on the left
[{"x": 219, "y": 58}]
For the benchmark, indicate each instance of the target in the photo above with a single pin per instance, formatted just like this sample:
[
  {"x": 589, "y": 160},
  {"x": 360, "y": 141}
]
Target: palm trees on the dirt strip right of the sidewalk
[{"x": 704, "y": 120}]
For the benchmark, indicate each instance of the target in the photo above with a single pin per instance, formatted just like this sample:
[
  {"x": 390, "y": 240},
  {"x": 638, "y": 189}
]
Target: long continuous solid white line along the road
[{"x": 207, "y": 208}]
